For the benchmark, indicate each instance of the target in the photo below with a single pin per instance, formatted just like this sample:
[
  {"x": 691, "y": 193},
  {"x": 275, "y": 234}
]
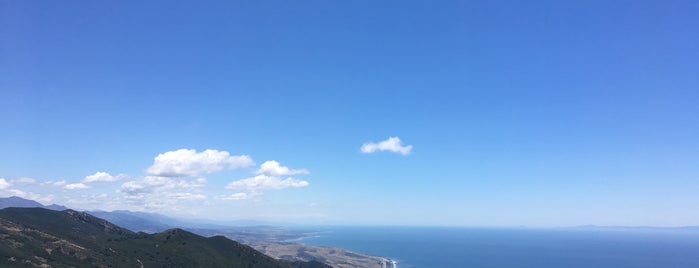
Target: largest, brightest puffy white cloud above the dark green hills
[{"x": 187, "y": 162}]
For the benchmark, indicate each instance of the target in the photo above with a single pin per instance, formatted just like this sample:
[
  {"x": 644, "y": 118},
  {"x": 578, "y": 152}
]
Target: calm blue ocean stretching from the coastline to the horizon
[{"x": 431, "y": 247}]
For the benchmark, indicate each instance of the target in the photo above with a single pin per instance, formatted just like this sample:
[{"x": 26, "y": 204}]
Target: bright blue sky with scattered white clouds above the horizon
[{"x": 537, "y": 113}]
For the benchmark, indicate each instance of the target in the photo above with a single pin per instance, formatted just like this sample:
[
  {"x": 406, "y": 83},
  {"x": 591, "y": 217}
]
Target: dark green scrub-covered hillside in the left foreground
[{"x": 39, "y": 237}]
